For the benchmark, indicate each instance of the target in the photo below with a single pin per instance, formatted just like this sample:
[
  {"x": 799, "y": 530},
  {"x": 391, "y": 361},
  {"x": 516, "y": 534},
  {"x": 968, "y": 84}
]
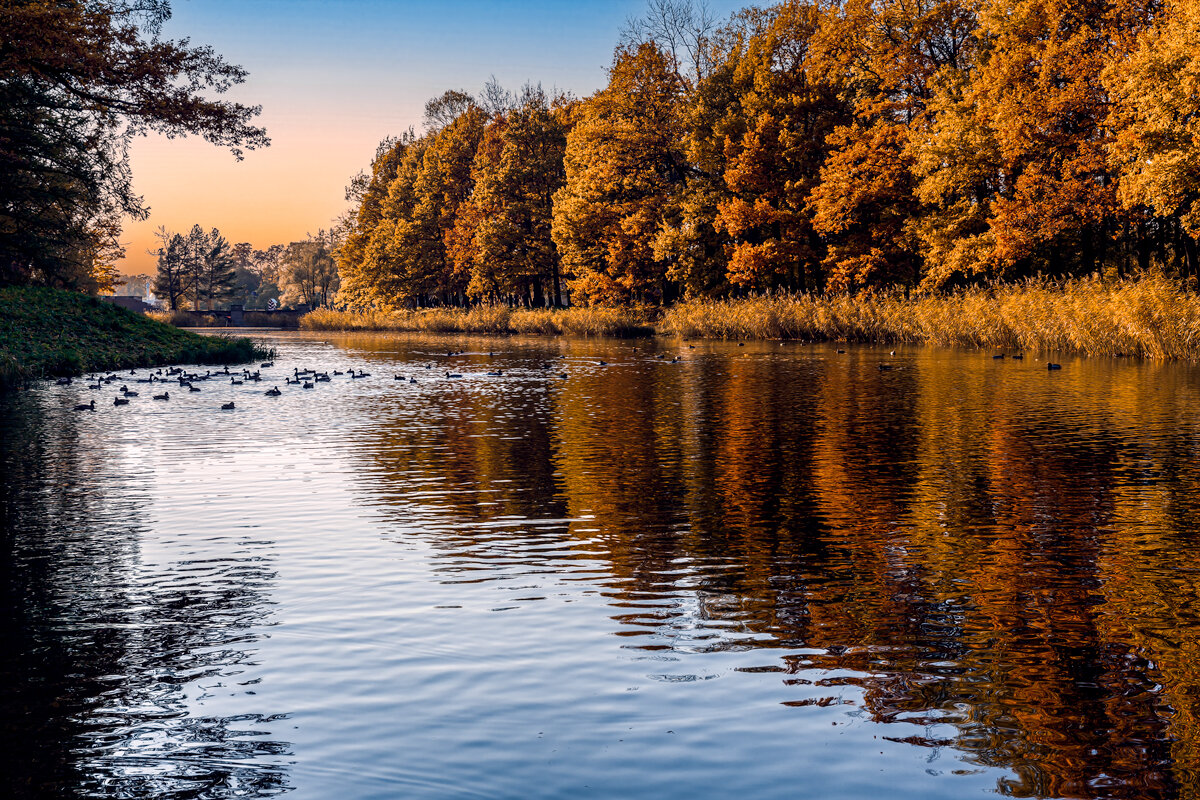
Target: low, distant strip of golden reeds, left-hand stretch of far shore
[{"x": 488, "y": 320}]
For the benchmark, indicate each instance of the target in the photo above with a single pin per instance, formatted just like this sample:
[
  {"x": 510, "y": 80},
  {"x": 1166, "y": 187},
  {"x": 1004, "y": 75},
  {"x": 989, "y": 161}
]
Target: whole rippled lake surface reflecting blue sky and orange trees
[{"x": 770, "y": 572}]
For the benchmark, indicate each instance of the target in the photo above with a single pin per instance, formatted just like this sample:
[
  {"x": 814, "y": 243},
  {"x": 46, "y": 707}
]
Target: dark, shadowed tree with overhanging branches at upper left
[{"x": 79, "y": 80}]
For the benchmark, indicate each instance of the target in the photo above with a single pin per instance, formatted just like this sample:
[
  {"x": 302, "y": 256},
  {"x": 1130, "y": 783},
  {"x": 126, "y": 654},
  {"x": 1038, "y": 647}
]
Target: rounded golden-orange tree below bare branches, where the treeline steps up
[{"x": 625, "y": 166}]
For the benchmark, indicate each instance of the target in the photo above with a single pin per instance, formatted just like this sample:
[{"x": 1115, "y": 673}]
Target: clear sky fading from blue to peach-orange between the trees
[{"x": 337, "y": 77}]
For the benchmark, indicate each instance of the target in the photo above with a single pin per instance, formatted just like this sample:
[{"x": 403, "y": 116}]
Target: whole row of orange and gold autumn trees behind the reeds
[{"x": 806, "y": 147}]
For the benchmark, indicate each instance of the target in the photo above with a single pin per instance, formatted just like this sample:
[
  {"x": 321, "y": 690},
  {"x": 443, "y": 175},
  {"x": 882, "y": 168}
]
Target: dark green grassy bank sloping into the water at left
[{"x": 47, "y": 333}]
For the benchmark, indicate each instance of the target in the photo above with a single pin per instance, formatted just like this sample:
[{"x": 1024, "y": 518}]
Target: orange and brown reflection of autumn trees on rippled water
[{"x": 991, "y": 561}]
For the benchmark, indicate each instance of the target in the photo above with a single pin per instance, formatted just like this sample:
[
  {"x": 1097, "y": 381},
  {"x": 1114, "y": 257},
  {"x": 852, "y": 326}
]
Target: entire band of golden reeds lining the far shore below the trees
[{"x": 1150, "y": 317}]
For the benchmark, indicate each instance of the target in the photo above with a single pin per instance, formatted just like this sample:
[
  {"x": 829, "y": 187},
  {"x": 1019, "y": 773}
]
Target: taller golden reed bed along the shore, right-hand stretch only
[{"x": 1149, "y": 316}]
